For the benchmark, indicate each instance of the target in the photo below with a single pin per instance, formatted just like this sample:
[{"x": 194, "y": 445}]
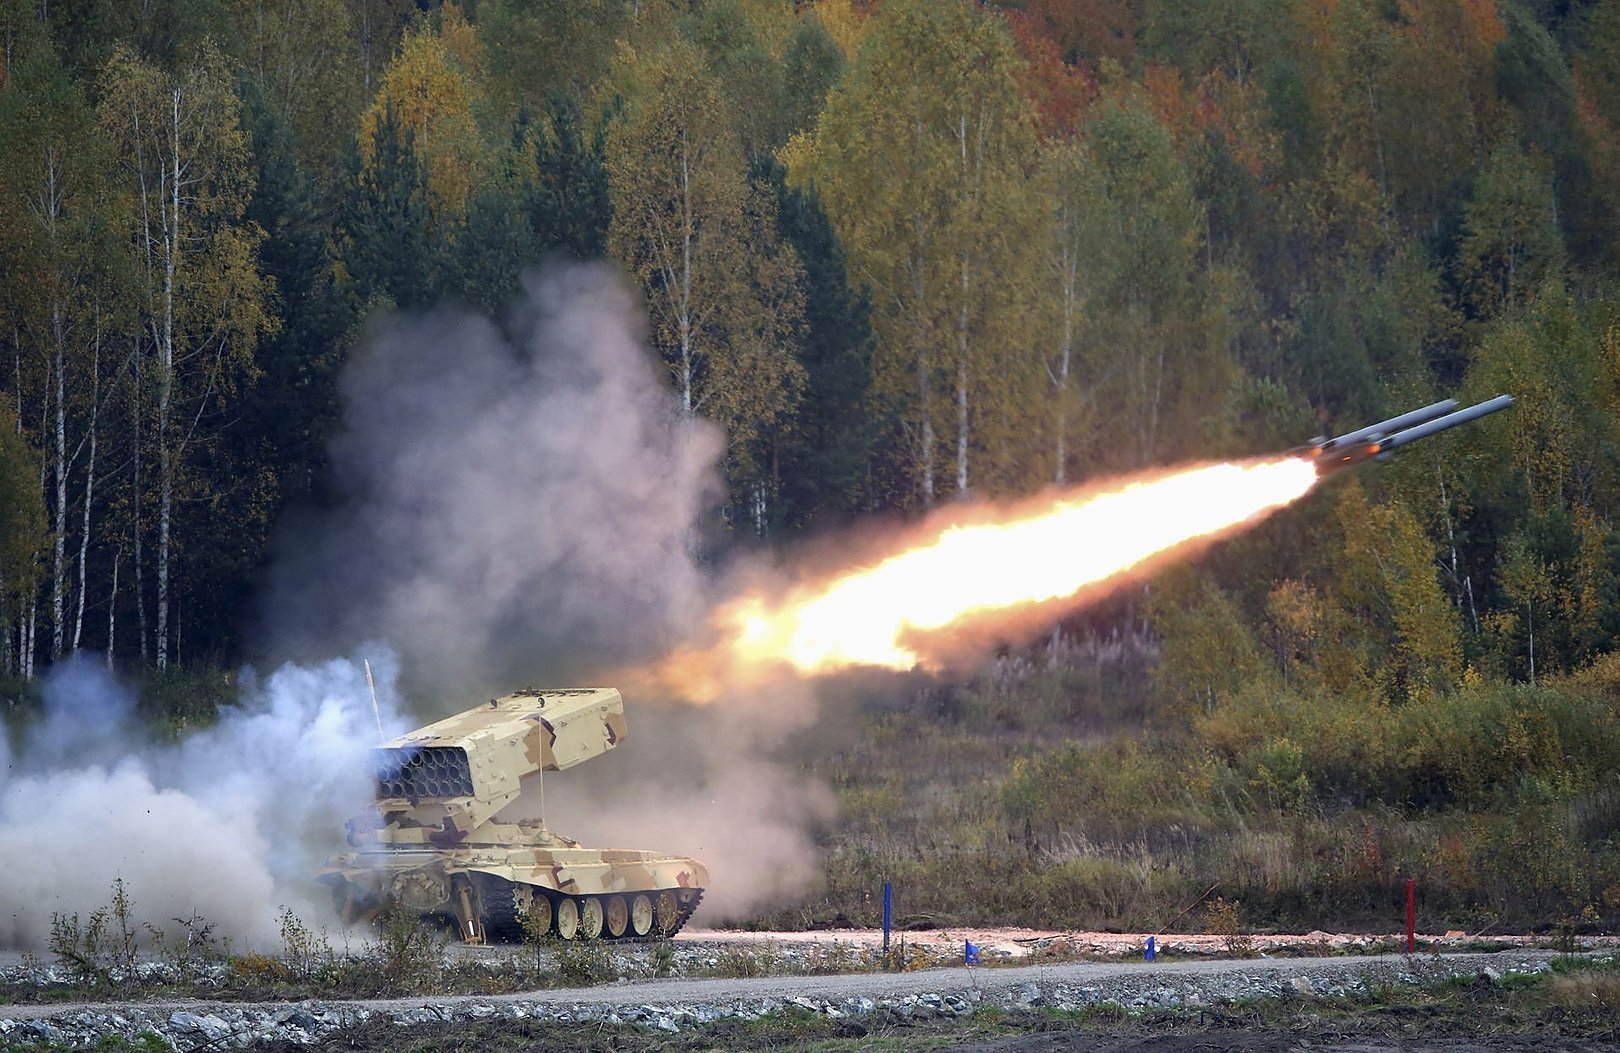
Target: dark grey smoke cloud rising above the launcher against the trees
[{"x": 514, "y": 508}]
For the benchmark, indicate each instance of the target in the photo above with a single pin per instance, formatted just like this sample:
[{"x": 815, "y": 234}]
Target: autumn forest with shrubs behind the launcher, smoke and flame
[{"x": 905, "y": 252}]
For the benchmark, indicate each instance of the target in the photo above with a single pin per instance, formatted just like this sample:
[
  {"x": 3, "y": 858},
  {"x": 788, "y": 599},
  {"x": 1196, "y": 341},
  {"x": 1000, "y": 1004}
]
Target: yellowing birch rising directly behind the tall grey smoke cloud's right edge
[{"x": 725, "y": 292}]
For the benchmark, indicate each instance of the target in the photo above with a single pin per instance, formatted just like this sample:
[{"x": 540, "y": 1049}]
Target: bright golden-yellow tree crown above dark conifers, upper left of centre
[{"x": 430, "y": 90}]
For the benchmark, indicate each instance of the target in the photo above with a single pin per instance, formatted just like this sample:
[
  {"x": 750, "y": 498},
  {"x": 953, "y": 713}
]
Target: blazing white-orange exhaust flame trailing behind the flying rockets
[{"x": 876, "y": 616}]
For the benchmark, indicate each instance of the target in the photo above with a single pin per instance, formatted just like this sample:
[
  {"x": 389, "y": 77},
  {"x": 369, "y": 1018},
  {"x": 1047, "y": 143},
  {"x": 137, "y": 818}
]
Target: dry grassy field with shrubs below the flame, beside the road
[{"x": 1059, "y": 790}]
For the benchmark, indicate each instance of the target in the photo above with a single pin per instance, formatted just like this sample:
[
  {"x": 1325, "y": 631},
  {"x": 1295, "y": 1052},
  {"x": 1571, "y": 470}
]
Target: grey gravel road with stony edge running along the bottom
[{"x": 678, "y": 1005}]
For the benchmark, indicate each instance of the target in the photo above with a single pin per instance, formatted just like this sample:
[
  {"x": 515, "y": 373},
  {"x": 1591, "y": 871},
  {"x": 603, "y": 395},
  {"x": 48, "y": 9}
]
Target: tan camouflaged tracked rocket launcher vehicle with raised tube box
[{"x": 438, "y": 845}]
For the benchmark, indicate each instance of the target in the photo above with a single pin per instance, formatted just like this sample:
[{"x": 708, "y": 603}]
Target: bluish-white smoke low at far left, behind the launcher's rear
[{"x": 231, "y": 824}]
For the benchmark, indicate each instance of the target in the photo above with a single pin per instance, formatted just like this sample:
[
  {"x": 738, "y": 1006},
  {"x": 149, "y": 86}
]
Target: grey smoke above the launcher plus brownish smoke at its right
[{"x": 521, "y": 508}]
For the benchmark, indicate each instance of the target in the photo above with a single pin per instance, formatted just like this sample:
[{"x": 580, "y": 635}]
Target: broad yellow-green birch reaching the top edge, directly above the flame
[{"x": 918, "y": 156}]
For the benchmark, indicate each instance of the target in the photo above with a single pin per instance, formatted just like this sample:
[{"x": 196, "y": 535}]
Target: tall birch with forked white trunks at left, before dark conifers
[{"x": 185, "y": 160}]
